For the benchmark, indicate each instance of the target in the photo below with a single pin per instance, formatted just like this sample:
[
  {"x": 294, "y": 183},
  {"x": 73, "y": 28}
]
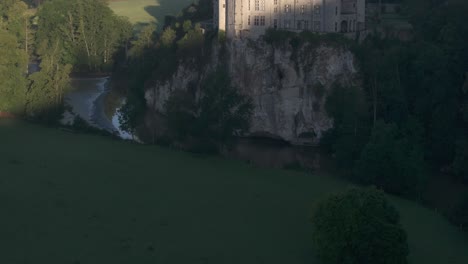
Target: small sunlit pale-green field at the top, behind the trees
[{"x": 146, "y": 11}]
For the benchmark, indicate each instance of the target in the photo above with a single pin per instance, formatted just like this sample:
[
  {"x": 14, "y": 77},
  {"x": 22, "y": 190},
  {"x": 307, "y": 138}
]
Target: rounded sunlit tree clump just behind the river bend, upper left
[{"x": 86, "y": 32}]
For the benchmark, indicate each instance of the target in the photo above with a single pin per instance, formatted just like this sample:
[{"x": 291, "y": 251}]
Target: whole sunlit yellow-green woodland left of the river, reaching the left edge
[{"x": 63, "y": 36}]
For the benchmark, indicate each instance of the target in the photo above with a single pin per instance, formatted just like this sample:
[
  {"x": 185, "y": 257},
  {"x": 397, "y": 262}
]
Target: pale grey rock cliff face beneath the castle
[{"x": 288, "y": 86}]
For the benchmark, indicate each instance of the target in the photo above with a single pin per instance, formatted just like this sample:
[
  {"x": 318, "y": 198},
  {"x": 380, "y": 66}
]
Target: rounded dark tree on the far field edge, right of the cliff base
[{"x": 393, "y": 159}]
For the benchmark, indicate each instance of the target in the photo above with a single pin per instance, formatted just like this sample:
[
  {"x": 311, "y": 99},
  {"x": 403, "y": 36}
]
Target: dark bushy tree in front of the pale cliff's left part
[{"x": 220, "y": 113}]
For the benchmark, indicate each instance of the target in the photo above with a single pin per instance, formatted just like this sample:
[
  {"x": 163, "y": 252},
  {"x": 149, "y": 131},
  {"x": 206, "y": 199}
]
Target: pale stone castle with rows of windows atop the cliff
[{"x": 250, "y": 18}]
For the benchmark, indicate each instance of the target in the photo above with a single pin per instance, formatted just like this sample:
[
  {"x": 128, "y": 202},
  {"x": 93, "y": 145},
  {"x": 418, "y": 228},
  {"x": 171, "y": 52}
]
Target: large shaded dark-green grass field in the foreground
[{"x": 71, "y": 198}]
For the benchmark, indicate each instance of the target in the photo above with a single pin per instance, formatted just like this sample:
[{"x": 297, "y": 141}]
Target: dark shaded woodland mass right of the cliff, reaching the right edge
[{"x": 415, "y": 100}]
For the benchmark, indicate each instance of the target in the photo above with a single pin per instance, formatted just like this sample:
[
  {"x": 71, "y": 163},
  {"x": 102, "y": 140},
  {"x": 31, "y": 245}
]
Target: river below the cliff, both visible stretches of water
[{"x": 86, "y": 100}]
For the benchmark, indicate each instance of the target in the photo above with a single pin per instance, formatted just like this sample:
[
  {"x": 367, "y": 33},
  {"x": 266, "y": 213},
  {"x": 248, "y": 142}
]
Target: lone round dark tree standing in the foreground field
[{"x": 357, "y": 227}]
